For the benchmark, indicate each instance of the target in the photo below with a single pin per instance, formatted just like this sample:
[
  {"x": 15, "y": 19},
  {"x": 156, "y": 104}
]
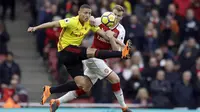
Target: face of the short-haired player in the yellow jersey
[{"x": 84, "y": 14}]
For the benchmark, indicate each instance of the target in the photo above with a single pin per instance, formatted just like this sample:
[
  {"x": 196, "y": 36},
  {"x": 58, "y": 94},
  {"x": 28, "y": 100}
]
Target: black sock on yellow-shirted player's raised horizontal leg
[{"x": 104, "y": 54}]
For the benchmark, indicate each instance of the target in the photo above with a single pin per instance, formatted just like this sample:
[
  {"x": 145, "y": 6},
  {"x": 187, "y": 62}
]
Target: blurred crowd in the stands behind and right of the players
[{"x": 164, "y": 69}]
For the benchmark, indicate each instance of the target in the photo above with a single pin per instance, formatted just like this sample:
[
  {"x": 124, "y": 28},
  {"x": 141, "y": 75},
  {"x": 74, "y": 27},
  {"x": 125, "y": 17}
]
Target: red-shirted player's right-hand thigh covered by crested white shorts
[{"x": 98, "y": 67}]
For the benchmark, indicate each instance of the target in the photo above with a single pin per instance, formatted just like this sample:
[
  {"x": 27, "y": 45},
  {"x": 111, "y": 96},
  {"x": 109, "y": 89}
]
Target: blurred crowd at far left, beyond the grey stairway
[{"x": 11, "y": 90}]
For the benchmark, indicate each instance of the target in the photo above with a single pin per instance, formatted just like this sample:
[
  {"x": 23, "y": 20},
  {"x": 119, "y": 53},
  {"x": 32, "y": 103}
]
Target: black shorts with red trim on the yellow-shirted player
[{"x": 72, "y": 57}]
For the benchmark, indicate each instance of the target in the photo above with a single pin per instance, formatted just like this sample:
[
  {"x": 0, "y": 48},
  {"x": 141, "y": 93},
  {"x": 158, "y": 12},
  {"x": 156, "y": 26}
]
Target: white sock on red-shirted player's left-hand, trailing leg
[{"x": 68, "y": 97}]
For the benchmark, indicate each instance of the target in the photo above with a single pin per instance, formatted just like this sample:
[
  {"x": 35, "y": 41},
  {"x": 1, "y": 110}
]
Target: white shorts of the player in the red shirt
[{"x": 96, "y": 69}]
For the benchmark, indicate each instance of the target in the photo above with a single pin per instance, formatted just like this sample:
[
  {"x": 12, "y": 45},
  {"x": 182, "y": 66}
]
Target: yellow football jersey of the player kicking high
[{"x": 73, "y": 32}]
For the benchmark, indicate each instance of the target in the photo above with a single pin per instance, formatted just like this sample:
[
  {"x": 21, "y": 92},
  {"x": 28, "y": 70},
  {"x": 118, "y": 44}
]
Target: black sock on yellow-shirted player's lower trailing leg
[{"x": 68, "y": 86}]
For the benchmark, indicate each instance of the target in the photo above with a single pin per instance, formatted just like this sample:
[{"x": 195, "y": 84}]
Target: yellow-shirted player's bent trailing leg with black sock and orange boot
[{"x": 74, "y": 67}]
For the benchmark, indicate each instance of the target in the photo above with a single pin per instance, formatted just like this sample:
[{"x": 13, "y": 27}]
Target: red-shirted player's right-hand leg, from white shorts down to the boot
[{"x": 102, "y": 71}]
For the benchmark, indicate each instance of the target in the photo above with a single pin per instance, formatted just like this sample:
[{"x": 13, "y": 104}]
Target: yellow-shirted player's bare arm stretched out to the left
[{"x": 44, "y": 25}]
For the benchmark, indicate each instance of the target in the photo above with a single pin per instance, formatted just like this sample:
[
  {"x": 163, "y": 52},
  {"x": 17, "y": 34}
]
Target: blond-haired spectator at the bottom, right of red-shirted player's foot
[{"x": 142, "y": 98}]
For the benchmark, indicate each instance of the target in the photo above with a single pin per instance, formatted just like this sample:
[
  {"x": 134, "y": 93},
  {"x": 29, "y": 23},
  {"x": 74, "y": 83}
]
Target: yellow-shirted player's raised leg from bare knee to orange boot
[{"x": 104, "y": 54}]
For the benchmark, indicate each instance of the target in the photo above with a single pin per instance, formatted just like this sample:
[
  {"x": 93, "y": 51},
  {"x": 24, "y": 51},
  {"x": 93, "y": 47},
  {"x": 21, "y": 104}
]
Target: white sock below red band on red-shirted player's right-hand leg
[{"x": 120, "y": 98}]
